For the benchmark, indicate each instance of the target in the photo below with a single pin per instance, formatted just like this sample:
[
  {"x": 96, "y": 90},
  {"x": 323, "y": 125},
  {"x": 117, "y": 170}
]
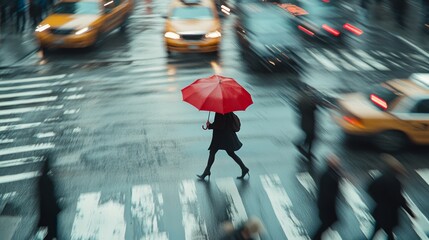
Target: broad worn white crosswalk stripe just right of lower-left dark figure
[{"x": 98, "y": 221}]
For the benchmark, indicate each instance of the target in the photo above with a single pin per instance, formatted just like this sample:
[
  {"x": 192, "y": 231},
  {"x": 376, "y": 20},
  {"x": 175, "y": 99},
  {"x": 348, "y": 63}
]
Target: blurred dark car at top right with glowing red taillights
[{"x": 322, "y": 20}]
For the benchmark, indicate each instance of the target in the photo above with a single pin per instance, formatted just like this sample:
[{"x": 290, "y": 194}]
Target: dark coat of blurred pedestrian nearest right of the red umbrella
[{"x": 307, "y": 107}]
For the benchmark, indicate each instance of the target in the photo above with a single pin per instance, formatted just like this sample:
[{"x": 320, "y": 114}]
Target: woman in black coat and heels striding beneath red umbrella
[{"x": 224, "y": 138}]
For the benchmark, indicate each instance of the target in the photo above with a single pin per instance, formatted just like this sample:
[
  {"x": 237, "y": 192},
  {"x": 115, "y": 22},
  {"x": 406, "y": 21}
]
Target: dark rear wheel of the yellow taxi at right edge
[{"x": 390, "y": 141}]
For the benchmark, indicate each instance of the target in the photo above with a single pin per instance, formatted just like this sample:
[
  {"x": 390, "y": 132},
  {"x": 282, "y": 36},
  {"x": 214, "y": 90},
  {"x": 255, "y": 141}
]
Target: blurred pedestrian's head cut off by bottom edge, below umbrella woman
[{"x": 247, "y": 231}]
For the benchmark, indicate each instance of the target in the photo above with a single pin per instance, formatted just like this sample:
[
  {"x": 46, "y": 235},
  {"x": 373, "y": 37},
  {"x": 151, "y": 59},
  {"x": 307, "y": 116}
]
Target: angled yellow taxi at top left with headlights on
[{"x": 82, "y": 23}]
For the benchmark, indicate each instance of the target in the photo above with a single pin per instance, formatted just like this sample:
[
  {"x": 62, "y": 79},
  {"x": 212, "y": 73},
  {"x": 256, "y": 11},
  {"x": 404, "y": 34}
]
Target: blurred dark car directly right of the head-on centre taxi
[{"x": 265, "y": 37}]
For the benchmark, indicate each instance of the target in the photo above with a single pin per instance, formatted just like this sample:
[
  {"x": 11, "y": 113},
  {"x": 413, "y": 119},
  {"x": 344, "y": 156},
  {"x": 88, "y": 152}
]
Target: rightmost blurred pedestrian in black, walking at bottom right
[{"x": 386, "y": 191}]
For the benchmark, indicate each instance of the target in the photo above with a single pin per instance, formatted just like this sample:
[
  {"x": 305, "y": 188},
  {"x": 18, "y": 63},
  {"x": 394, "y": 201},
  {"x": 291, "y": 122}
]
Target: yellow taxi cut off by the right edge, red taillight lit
[{"x": 393, "y": 113}]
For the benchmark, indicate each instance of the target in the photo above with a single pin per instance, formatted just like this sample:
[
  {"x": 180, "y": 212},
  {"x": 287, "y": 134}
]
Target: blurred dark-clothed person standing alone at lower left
[{"x": 48, "y": 205}]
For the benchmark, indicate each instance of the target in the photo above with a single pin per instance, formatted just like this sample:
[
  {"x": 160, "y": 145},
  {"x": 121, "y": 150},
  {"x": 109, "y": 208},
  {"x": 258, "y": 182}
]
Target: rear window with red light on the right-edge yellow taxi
[{"x": 382, "y": 96}]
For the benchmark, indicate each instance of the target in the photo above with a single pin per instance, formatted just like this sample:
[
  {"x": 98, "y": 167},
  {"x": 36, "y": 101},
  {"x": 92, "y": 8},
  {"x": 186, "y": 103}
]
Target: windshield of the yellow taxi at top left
[{"x": 77, "y": 8}]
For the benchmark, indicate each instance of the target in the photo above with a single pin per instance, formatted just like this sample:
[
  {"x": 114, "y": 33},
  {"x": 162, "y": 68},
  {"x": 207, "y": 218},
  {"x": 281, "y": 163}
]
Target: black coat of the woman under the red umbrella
[{"x": 223, "y": 136}]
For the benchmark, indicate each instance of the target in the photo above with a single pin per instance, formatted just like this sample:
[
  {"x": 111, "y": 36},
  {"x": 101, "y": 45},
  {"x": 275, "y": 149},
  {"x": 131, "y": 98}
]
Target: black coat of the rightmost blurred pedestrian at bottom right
[{"x": 386, "y": 191}]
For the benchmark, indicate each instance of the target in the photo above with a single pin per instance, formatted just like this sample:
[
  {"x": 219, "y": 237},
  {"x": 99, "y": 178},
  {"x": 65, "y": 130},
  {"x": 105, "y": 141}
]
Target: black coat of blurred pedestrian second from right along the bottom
[{"x": 327, "y": 196}]
